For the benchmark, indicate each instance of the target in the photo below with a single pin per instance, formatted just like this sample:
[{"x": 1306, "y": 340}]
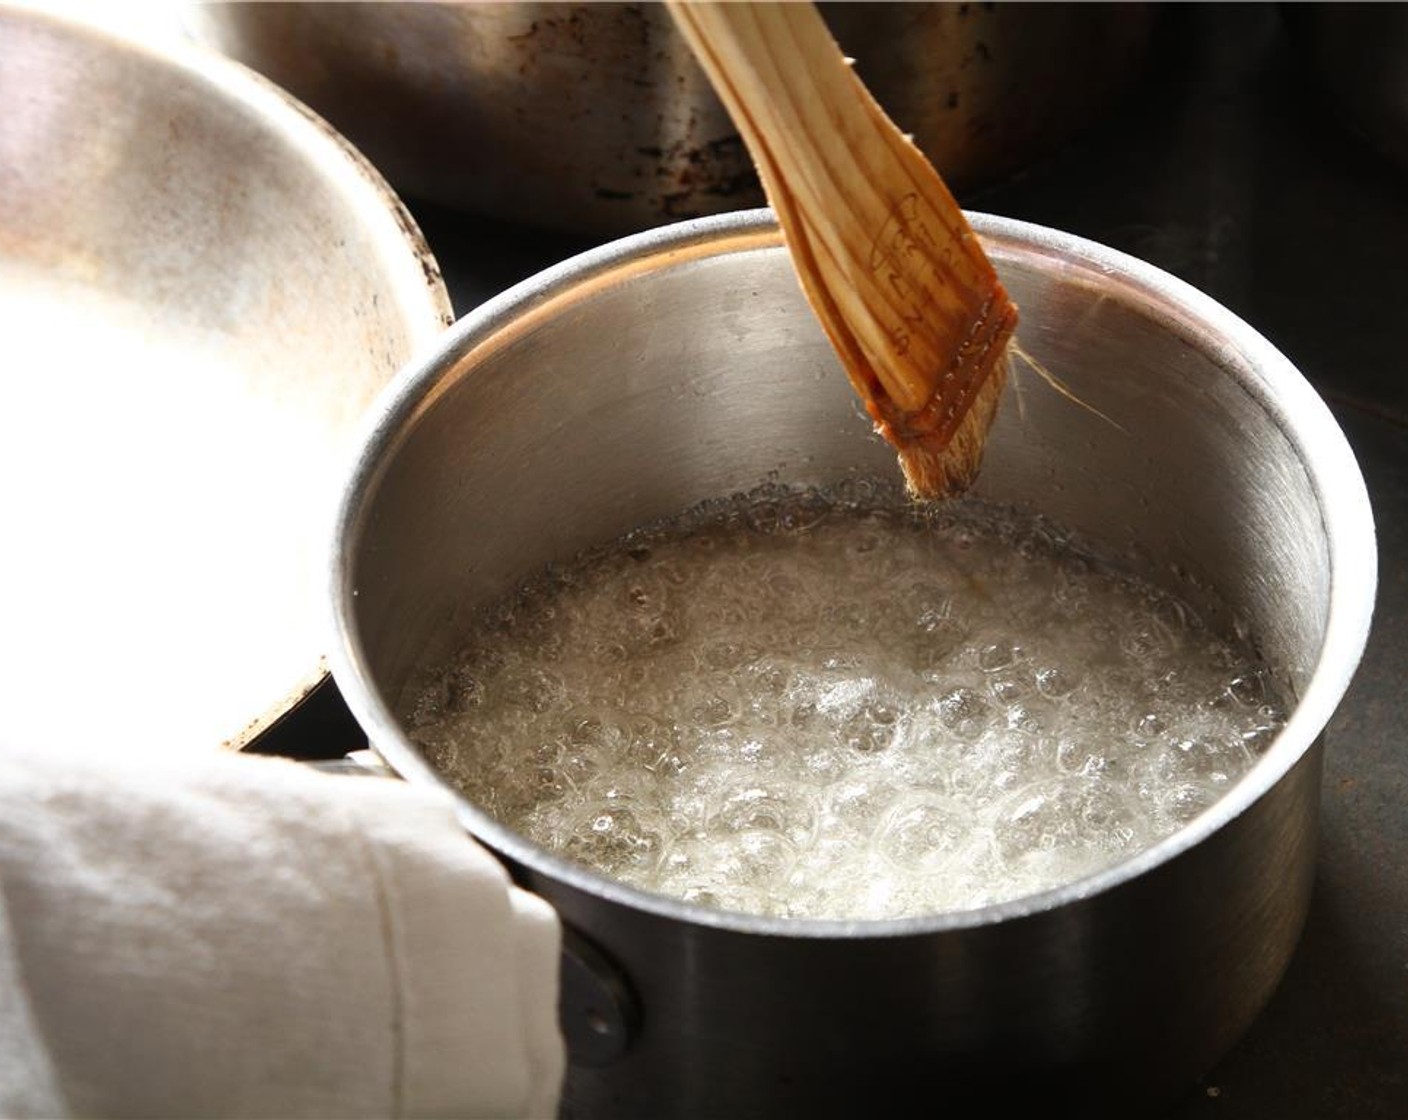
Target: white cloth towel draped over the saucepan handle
[{"x": 233, "y": 936}]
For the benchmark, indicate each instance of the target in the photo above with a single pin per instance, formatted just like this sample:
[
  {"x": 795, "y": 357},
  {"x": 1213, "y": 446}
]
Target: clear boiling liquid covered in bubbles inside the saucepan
[{"x": 813, "y": 707}]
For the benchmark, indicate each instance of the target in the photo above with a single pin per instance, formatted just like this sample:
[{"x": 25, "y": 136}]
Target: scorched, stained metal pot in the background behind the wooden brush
[{"x": 596, "y": 118}]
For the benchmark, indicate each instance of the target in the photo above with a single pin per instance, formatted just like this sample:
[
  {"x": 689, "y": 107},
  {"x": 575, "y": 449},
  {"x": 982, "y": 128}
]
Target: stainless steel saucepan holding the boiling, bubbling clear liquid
[{"x": 684, "y": 364}]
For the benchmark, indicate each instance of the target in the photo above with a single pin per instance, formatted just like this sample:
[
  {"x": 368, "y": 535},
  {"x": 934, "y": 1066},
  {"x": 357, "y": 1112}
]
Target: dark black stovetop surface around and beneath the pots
[{"x": 1230, "y": 168}]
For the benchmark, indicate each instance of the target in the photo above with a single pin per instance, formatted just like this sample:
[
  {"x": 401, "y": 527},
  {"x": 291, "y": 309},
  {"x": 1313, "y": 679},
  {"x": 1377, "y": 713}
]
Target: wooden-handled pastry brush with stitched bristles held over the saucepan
[{"x": 884, "y": 251}]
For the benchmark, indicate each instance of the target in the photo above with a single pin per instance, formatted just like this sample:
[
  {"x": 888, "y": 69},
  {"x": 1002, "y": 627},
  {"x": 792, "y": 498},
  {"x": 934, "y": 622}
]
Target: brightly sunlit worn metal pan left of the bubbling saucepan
[{"x": 201, "y": 291}]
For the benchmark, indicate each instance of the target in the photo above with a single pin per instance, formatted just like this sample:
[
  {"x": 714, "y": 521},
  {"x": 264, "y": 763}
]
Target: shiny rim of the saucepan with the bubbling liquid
[{"x": 1247, "y": 356}]
